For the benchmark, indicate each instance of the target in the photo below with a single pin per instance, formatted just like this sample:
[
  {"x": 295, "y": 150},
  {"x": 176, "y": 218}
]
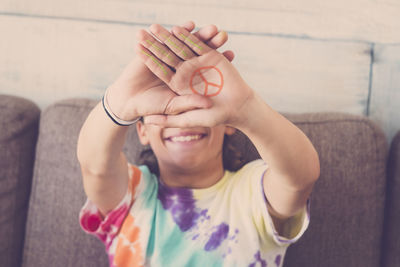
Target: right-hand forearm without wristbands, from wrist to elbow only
[{"x": 285, "y": 148}]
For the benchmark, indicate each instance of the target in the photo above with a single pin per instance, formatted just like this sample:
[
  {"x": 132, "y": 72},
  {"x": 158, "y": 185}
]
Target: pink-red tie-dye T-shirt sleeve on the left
[{"x": 106, "y": 228}]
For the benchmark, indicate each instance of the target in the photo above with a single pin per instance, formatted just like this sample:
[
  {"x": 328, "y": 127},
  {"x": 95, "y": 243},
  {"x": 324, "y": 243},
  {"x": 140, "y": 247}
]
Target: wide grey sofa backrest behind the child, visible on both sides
[{"x": 347, "y": 204}]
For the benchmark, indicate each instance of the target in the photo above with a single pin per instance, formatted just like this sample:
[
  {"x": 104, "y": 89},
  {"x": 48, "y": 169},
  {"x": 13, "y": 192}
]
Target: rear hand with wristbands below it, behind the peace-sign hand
[{"x": 138, "y": 92}]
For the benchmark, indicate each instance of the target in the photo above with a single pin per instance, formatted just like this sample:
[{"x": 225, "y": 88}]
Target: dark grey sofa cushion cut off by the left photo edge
[{"x": 19, "y": 124}]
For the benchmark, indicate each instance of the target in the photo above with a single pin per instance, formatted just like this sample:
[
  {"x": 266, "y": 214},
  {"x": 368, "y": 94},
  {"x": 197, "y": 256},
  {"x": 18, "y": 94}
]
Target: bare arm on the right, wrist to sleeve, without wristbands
[{"x": 292, "y": 159}]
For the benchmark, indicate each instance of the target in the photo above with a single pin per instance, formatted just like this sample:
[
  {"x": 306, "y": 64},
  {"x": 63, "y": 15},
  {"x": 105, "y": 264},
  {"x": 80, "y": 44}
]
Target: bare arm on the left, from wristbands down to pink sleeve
[{"x": 103, "y": 164}]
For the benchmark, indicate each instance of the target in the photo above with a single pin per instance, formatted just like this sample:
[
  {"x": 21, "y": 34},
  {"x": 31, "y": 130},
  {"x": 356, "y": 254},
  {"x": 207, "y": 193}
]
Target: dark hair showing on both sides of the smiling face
[{"x": 231, "y": 157}]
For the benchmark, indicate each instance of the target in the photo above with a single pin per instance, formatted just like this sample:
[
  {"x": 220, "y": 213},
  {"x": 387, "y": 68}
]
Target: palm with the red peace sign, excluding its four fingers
[{"x": 212, "y": 75}]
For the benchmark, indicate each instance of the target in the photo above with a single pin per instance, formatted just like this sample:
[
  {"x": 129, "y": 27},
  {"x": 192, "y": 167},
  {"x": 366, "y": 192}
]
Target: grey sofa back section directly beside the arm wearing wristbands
[{"x": 53, "y": 234}]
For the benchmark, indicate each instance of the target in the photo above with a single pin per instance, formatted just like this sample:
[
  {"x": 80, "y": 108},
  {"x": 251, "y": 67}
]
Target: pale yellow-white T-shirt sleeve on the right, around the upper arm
[{"x": 293, "y": 229}]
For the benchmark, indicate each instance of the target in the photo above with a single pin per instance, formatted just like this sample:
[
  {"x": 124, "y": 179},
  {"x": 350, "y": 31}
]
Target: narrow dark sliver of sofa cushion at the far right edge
[{"x": 391, "y": 242}]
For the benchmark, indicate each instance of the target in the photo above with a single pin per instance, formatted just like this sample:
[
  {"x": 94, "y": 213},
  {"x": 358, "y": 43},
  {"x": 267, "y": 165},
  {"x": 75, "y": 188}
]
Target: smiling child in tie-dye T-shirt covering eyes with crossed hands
[{"x": 192, "y": 210}]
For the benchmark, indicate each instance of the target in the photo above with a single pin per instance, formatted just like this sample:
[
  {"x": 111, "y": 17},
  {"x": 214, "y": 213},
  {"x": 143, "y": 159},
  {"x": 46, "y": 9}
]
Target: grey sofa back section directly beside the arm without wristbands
[{"x": 347, "y": 203}]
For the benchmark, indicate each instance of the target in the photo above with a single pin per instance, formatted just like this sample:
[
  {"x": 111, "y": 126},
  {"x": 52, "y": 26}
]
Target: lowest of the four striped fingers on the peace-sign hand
[{"x": 159, "y": 68}]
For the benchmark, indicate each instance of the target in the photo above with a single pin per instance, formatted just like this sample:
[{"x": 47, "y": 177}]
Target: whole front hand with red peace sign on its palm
[{"x": 199, "y": 70}]
